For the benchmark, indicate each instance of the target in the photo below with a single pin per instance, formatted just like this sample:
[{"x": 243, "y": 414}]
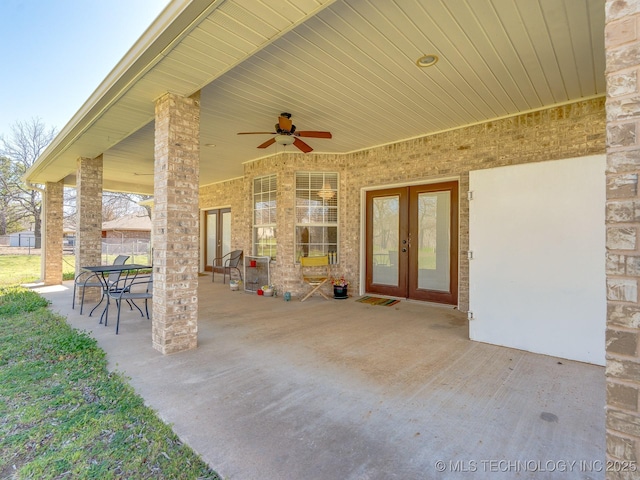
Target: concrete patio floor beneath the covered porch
[{"x": 343, "y": 390}]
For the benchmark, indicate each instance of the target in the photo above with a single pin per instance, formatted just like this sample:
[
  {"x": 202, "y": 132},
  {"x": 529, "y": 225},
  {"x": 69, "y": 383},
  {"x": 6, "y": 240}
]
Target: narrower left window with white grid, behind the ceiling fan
[{"x": 264, "y": 216}]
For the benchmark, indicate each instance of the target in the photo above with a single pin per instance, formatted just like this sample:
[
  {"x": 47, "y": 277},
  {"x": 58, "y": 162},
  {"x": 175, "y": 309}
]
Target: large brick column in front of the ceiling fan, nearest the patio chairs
[{"x": 176, "y": 223}]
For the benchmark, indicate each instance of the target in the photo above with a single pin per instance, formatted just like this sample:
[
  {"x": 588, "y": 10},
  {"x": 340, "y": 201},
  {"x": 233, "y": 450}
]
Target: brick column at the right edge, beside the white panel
[{"x": 622, "y": 43}]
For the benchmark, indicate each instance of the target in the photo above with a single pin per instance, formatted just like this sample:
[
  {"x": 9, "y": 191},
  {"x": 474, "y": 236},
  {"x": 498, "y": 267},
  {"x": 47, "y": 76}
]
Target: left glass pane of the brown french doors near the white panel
[{"x": 385, "y": 238}]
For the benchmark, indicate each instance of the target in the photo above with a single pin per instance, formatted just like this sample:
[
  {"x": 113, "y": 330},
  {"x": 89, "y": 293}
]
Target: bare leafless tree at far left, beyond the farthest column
[{"x": 22, "y": 148}]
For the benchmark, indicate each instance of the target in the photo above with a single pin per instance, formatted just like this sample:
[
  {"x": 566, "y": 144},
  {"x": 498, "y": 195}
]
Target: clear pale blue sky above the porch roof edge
[{"x": 55, "y": 53}]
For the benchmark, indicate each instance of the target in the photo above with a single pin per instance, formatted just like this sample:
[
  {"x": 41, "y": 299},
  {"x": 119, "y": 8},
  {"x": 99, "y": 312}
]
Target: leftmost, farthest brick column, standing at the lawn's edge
[{"x": 52, "y": 232}]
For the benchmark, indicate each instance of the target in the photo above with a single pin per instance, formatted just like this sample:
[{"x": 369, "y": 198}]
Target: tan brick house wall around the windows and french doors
[{"x": 567, "y": 131}]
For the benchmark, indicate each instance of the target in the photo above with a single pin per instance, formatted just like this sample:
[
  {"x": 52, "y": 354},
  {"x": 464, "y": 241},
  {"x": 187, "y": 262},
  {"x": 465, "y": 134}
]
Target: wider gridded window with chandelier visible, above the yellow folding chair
[{"x": 317, "y": 215}]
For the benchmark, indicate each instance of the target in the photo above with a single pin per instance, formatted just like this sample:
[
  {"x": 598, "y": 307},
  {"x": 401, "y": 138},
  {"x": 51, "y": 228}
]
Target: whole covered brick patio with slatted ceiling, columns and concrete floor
[{"x": 450, "y": 103}]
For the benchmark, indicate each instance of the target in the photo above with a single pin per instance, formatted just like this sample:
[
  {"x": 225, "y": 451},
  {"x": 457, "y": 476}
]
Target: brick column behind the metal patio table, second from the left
[{"x": 89, "y": 218}]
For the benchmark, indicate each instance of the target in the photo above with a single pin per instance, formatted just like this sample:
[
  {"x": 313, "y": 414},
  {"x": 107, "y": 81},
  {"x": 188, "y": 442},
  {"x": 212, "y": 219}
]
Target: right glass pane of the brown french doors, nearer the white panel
[{"x": 434, "y": 241}]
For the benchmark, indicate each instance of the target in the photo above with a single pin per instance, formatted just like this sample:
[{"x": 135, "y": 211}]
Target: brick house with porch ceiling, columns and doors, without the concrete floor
[{"x": 477, "y": 160}]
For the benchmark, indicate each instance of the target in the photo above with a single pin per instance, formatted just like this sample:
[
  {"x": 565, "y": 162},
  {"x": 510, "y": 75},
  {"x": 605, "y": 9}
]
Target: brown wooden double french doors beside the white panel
[{"x": 412, "y": 242}]
